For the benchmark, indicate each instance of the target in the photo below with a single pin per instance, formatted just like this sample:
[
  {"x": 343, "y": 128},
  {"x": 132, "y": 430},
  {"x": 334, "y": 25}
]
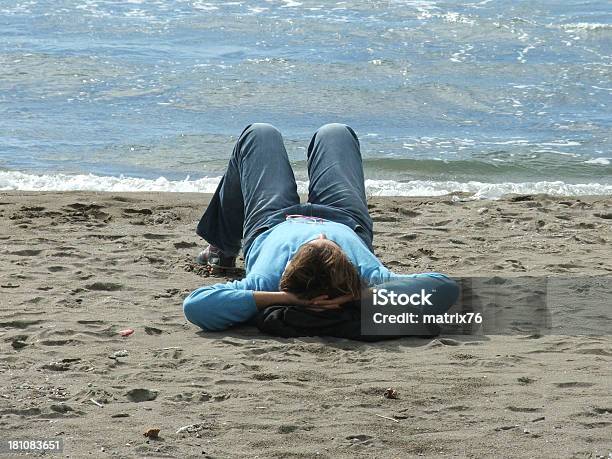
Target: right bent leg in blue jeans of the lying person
[{"x": 335, "y": 171}]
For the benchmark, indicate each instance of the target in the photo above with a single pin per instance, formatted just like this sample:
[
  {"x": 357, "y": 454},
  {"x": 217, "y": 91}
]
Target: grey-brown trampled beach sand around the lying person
[{"x": 79, "y": 267}]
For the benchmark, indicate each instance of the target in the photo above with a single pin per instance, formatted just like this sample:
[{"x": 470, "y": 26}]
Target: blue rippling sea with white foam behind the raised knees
[{"x": 487, "y": 97}]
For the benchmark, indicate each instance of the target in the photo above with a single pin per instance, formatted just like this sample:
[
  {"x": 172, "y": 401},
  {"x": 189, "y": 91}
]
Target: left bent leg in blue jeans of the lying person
[{"x": 258, "y": 182}]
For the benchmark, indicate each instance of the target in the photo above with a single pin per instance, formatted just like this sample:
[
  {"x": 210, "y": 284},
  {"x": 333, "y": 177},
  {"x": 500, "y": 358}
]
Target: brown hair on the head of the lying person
[{"x": 320, "y": 269}]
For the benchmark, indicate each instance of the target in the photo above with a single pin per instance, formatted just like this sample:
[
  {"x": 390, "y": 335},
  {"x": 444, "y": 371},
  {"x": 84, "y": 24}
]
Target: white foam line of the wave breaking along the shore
[{"x": 10, "y": 180}]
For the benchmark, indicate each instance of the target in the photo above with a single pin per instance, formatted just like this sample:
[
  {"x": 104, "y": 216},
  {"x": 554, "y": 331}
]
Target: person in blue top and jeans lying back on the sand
[{"x": 314, "y": 255}]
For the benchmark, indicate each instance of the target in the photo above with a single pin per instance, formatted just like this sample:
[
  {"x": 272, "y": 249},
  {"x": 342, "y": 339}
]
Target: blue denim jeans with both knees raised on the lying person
[{"x": 258, "y": 189}]
